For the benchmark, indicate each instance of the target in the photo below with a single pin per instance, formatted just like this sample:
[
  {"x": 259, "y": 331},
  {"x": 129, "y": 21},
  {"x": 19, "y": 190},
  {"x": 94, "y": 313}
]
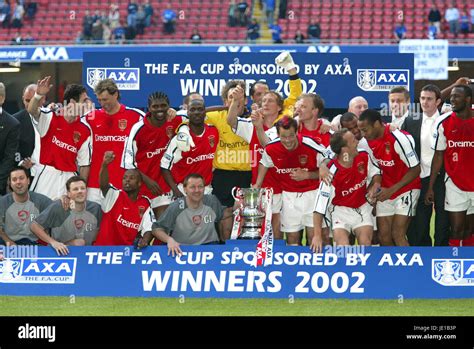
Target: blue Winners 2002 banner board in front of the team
[{"x": 227, "y": 271}]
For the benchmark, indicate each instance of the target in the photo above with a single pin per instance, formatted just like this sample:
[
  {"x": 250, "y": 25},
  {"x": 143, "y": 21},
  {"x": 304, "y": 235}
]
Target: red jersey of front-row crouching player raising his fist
[{"x": 121, "y": 218}]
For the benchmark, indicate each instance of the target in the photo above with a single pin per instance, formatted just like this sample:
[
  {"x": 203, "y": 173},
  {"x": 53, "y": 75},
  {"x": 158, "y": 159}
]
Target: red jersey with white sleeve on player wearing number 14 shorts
[{"x": 395, "y": 155}]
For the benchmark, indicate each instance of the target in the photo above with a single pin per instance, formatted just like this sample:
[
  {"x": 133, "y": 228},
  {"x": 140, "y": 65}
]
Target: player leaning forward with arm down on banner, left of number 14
[{"x": 352, "y": 169}]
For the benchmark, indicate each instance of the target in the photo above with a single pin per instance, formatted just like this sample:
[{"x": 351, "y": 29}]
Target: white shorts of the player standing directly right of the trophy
[{"x": 297, "y": 210}]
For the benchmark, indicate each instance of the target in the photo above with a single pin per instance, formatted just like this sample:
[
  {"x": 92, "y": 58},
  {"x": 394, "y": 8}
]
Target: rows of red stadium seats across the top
[{"x": 357, "y": 21}]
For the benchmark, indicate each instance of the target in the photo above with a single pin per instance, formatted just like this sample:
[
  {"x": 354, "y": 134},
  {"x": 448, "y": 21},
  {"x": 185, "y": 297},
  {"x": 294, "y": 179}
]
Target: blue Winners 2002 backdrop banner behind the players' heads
[{"x": 336, "y": 77}]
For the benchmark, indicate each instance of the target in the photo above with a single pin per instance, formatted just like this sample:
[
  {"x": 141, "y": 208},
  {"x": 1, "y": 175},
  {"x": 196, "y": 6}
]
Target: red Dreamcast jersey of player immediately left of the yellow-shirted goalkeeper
[{"x": 197, "y": 160}]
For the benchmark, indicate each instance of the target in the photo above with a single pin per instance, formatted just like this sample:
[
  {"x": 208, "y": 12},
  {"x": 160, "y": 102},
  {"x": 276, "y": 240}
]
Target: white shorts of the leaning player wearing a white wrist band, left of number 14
[{"x": 349, "y": 219}]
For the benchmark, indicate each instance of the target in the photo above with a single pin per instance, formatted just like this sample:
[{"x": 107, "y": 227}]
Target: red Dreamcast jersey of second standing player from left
[{"x": 109, "y": 133}]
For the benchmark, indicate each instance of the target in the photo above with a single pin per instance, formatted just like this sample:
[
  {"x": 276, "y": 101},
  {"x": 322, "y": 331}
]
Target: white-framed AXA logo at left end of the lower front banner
[{"x": 38, "y": 270}]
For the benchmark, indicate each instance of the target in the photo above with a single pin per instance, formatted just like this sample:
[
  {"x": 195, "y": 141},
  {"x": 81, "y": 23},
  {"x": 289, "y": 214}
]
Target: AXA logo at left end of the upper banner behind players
[{"x": 125, "y": 78}]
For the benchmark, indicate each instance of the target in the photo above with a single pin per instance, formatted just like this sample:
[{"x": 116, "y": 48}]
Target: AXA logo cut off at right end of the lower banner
[{"x": 453, "y": 272}]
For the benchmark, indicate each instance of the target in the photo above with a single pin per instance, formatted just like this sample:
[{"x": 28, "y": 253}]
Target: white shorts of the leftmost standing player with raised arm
[{"x": 50, "y": 182}]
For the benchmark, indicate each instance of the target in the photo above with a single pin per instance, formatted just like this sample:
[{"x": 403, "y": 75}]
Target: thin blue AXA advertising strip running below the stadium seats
[{"x": 75, "y": 53}]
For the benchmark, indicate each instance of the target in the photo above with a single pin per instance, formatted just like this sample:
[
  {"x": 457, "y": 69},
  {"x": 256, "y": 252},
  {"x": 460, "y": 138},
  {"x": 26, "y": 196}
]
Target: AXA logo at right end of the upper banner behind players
[{"x": 382, "y": 79}]
